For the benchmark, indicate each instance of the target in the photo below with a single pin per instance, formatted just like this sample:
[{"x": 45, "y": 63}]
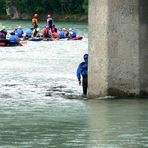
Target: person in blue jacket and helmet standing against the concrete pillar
[{"x": 82, "y": 70}]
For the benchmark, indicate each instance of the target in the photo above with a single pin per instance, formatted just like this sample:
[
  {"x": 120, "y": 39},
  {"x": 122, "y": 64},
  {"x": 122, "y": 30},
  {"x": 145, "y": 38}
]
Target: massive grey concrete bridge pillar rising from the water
[{"x": 118, "y": 48}]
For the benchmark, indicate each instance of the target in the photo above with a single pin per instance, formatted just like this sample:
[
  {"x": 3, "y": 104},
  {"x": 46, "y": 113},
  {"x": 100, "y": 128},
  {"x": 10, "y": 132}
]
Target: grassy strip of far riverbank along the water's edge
[{"x": 58, "y": 18}]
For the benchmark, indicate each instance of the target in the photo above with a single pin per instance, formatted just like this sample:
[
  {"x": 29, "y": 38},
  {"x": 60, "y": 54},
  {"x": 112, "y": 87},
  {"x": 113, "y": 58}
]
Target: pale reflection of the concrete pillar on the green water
[{"x": 119, "y": 123}]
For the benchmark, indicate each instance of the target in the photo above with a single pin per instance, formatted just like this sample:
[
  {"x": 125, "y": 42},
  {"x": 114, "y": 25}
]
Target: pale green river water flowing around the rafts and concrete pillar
[{"x": 41, "y": 103}]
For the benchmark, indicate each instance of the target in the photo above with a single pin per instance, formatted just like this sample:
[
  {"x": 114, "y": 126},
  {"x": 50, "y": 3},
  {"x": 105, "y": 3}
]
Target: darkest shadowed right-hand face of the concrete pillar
[{"x": 143, "y": 37}]
